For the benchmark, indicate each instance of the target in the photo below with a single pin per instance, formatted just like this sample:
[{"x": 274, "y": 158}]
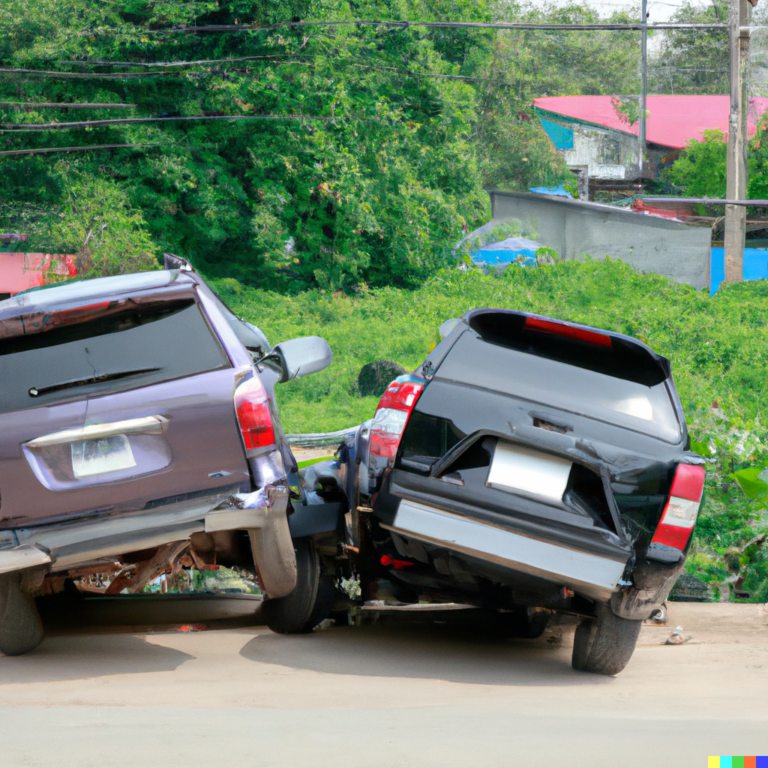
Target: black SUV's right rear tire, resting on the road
[{"x": 605, "y": 644}]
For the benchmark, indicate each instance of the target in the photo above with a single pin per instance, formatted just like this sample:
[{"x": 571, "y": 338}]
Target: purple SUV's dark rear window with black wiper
[{"x": 104, "y": 348}]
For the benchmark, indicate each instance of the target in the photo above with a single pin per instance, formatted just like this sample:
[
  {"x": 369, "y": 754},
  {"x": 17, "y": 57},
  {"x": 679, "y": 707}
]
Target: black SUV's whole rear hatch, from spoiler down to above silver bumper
[{"x": 555, "y": 430}]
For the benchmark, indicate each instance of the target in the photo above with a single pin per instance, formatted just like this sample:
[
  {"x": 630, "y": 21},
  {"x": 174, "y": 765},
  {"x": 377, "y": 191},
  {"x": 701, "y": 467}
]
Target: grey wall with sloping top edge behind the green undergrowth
[{"x": 576, "y": 229}]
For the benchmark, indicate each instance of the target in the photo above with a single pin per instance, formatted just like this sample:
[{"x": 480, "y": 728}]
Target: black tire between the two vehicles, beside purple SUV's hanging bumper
[{"x": 312, "y": 598}]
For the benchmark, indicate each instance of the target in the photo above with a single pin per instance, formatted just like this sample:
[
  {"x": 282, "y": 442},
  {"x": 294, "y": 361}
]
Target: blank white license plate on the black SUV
[{"x": 531, "y": 473}]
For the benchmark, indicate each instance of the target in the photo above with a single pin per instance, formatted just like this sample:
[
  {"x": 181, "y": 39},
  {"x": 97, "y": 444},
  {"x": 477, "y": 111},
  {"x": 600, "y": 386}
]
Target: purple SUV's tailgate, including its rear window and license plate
[{"x": 118, "y": 404}]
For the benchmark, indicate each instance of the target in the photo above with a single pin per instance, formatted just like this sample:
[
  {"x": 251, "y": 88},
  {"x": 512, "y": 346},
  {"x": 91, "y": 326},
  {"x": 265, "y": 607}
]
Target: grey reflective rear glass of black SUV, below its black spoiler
[{"x": 565, "y": 385}]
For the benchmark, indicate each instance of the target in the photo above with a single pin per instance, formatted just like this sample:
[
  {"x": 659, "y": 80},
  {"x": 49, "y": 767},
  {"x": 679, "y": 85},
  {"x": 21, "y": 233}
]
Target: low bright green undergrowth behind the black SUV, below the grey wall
[{"x": 718, "y": 347}]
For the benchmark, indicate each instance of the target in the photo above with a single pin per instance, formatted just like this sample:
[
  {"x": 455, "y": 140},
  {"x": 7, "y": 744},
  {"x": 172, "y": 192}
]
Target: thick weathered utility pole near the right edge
[{"x": 736, "y": 168}]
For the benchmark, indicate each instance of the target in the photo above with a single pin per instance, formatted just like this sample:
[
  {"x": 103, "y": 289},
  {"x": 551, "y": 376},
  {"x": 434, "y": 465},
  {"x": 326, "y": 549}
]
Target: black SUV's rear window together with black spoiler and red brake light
[{"x": 605, "y": 377}]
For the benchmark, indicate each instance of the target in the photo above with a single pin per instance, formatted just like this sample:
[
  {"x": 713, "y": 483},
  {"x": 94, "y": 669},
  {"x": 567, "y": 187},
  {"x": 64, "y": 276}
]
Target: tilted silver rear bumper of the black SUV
[{"x": 589, "y": 574}]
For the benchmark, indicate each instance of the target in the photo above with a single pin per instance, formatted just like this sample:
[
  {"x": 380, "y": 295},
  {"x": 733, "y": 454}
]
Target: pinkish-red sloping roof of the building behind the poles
[{"x": 672, "y": 120}]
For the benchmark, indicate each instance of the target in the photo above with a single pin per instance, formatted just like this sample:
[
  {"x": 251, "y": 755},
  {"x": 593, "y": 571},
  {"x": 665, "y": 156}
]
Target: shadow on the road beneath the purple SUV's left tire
[{"x": 61, "y": 659}]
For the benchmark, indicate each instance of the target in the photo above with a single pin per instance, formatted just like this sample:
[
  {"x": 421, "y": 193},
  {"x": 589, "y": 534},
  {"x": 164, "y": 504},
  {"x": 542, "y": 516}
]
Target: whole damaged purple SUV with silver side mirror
[{"x": 137, "y": 415}]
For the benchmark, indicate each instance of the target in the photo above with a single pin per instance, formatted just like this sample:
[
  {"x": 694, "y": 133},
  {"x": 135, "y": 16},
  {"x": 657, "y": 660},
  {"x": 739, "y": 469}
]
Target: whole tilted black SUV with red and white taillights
[{"x": 530, "y": 466}]
